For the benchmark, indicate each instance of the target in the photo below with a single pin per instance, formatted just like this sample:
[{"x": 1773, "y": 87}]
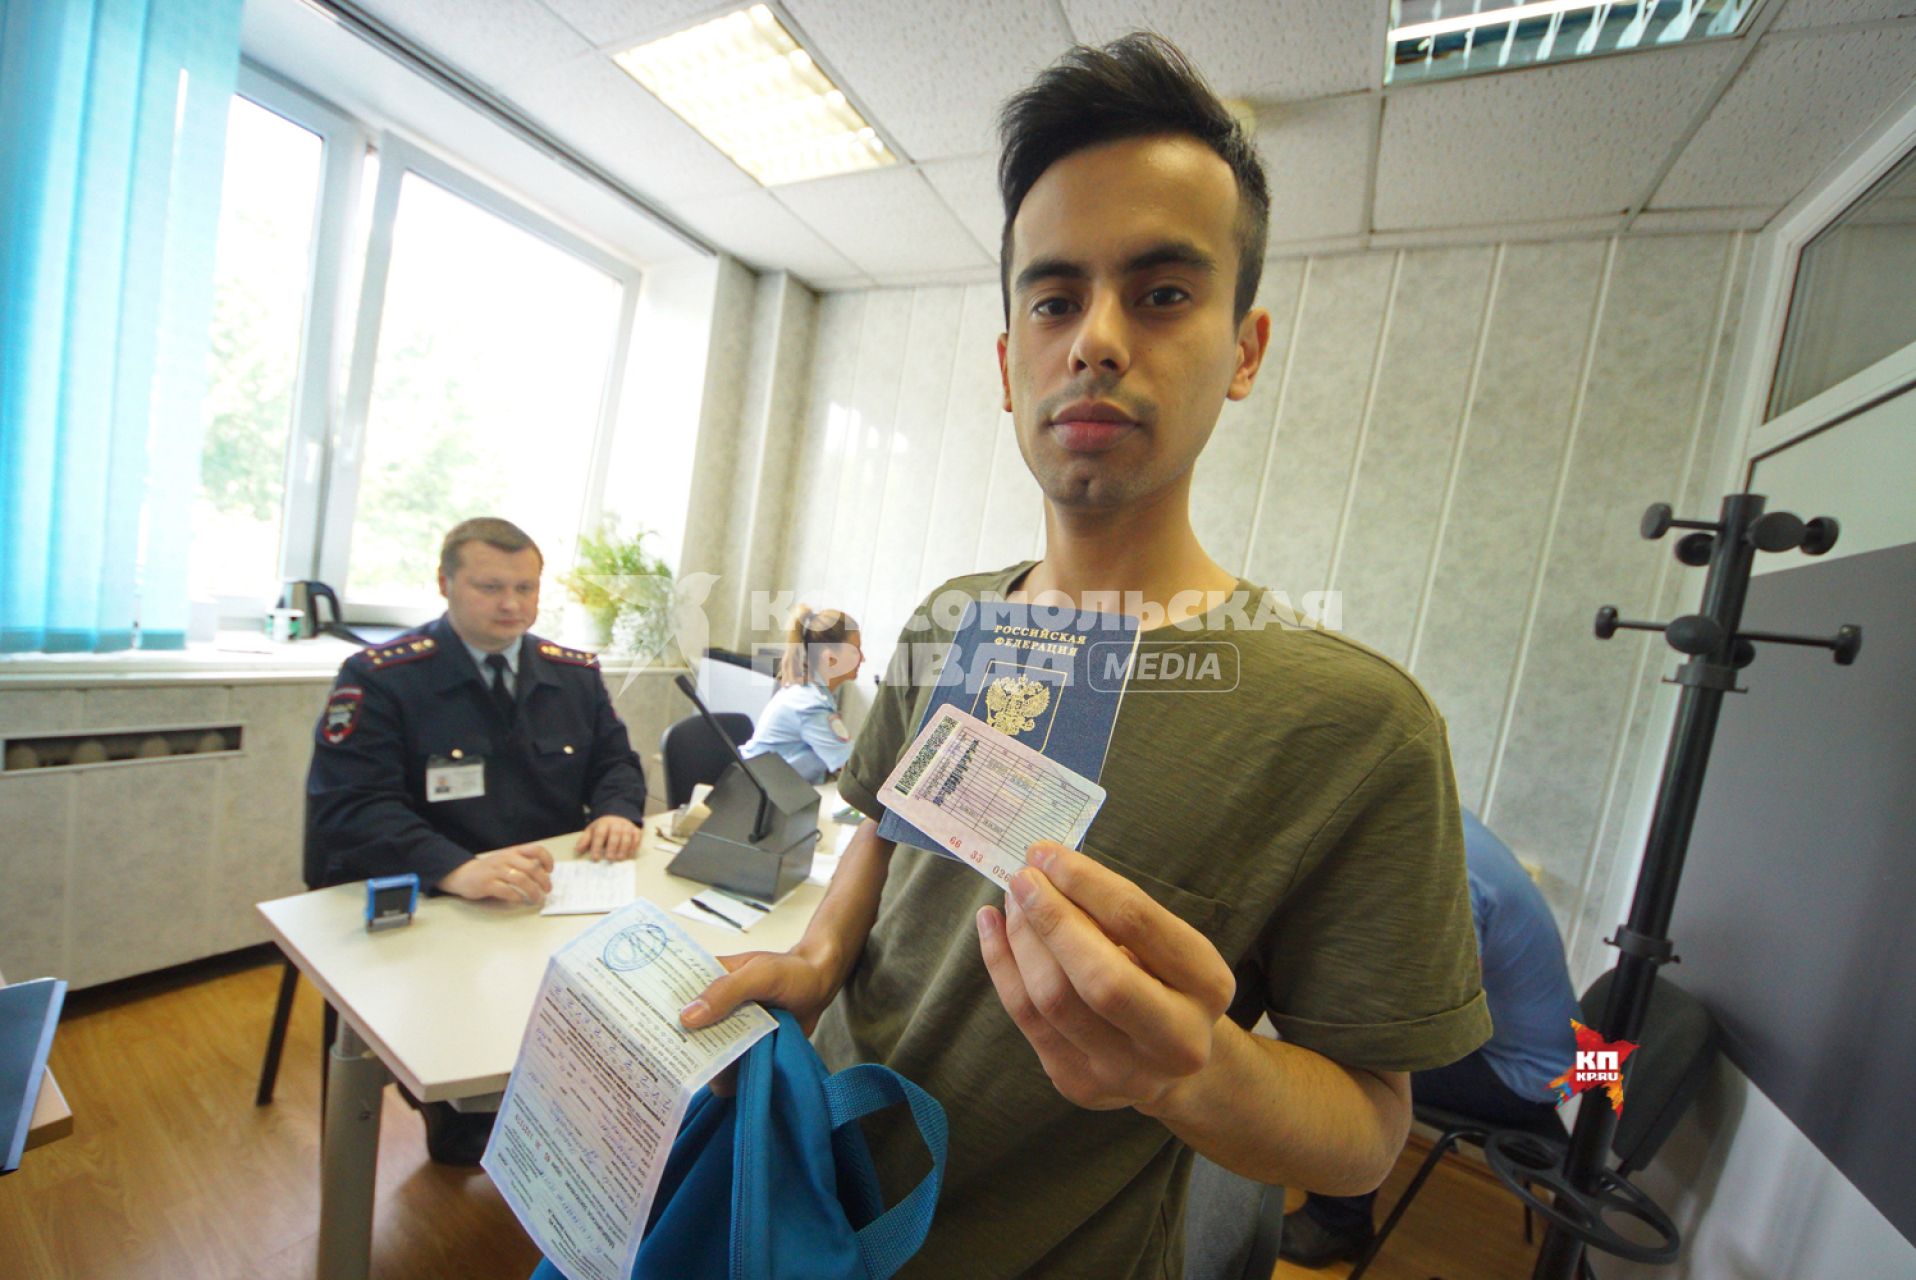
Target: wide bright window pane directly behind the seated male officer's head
[{"x": 486, "y": 400}]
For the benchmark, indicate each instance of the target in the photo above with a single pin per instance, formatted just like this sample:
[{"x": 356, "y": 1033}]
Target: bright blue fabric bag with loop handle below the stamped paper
[{"x": 787, "y": 1170}]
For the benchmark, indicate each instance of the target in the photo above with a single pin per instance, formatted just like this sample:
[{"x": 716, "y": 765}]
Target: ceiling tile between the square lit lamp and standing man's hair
[{"x": 886, "y": 221}]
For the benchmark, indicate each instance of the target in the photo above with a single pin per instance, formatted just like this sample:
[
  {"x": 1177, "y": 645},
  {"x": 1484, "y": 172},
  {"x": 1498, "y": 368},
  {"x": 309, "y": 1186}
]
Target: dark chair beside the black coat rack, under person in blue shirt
[{"x": 1662, "y": 1080}]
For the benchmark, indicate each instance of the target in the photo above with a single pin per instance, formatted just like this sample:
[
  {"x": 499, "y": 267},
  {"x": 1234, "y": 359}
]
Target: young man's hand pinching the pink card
[{"x": 1118, "y": 995}]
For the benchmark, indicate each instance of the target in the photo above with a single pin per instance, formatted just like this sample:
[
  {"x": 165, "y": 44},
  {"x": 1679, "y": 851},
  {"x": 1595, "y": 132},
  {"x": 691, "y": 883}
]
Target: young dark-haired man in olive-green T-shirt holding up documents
[{"x": 1287, "y": 848}]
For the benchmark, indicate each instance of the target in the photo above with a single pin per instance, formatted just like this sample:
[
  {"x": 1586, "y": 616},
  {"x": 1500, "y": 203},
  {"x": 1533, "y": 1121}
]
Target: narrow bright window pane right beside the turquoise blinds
[{"x": 267, "y": 212}]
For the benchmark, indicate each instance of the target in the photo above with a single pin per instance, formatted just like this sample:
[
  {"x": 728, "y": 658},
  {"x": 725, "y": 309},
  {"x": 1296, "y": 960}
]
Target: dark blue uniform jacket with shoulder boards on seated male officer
[{"x": 421, "y": 700}]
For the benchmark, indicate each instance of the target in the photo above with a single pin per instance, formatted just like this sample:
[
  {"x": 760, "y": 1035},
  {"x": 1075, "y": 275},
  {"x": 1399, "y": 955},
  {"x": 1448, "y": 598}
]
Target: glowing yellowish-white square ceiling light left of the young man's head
[{"x": 756, "y": 95}]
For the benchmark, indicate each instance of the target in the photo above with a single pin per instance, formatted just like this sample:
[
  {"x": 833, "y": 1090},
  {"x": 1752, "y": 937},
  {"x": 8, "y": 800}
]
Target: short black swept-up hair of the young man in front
[{"x": 1135, "y": 87}]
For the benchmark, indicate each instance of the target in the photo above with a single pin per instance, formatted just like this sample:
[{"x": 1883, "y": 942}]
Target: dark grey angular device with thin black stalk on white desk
[{"x": 762, "y": 831}]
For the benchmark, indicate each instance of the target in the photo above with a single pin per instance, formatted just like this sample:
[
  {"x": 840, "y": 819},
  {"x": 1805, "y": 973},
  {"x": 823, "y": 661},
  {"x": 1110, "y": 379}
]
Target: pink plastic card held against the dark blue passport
[{"x": 986, "y": 798}]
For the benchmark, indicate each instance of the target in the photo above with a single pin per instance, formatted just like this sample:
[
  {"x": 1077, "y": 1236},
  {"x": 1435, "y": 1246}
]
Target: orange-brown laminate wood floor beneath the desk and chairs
[{"x": 173, "y": 1174}]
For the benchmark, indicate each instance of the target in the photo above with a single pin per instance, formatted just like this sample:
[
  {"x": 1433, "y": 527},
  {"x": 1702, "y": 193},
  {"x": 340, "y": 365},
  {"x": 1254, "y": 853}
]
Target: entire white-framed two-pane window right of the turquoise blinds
[{"x": 396, "y": 348}]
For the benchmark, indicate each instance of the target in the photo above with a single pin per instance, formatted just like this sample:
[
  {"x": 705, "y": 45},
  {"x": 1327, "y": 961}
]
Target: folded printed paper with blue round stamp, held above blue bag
[{"x": 603, "y": 1084}]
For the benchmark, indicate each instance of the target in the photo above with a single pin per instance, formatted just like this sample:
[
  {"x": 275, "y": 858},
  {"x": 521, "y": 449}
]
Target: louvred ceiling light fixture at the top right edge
[{"x": 1428, "y": 43}]
